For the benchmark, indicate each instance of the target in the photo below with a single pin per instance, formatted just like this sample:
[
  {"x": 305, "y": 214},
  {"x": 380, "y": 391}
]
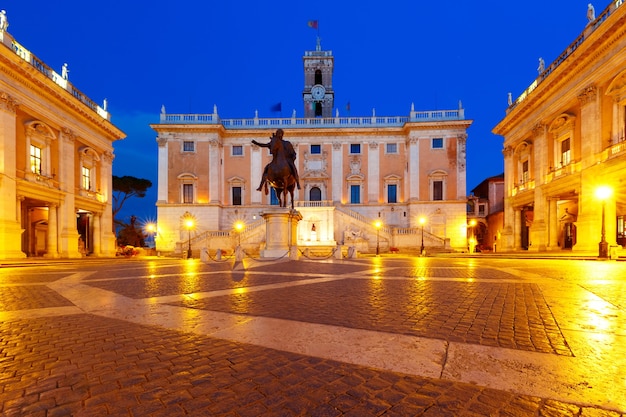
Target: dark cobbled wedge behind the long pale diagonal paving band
[{"x": 508, "y": 315}]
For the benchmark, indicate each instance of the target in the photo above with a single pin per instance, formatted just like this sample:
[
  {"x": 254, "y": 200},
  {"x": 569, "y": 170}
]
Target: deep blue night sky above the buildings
[{"x": 245, "y": 55}]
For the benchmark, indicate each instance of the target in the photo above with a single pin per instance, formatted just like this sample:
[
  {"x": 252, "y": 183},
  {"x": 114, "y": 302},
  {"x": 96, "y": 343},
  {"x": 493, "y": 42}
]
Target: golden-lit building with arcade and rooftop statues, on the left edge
[{"x": 55, "y": 163}]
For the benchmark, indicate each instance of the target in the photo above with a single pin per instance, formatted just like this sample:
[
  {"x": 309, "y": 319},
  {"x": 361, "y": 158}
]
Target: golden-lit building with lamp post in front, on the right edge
[{"x": 563, "y": 139}]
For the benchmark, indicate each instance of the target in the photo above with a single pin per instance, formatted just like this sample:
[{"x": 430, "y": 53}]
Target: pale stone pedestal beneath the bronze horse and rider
[{"x": 281, "y": 233}]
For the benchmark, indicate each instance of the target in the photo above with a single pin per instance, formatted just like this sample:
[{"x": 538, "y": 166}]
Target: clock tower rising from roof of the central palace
[{"x": 318, "y": 94}]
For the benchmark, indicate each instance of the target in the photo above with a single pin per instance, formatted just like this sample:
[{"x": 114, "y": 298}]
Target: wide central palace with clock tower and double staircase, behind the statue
[{"x": 353, "y": 171}]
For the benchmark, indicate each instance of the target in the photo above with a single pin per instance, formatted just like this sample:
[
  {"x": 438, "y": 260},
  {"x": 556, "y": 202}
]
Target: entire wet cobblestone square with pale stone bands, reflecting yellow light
[{"x": 365, "y": 337}]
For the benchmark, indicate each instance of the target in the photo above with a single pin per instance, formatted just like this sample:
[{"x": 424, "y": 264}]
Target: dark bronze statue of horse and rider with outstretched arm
[{"x": 280, "y": 172}]
